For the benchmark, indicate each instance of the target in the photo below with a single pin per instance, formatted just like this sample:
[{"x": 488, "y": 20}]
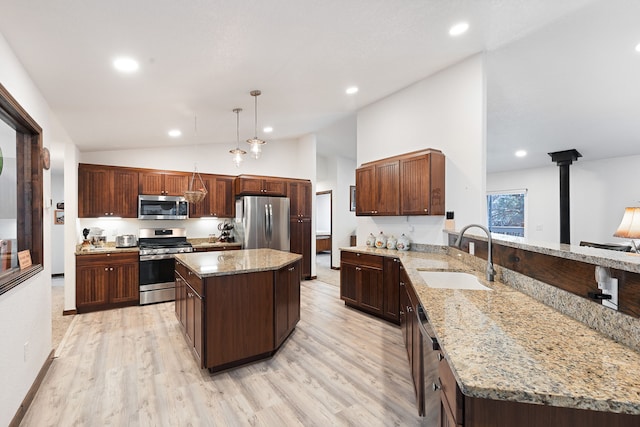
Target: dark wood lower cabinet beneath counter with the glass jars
[{"x": 370, "y": 283}]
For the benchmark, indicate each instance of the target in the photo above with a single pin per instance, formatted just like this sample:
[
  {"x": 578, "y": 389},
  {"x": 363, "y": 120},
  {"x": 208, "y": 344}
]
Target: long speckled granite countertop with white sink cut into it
[{"x": 502, "y": 344}]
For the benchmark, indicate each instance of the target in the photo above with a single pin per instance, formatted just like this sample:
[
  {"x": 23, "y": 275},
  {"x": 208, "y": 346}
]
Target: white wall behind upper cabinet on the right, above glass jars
[{"x": 445, "y": 111}]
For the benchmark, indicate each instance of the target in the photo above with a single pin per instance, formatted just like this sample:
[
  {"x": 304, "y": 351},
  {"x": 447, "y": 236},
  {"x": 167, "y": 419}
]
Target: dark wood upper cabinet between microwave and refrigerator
[{"x": 219, "y": 201}]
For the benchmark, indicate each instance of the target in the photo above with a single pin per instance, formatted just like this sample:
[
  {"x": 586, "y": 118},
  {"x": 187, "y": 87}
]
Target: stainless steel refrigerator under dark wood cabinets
[{"x": 263, "y": 222}]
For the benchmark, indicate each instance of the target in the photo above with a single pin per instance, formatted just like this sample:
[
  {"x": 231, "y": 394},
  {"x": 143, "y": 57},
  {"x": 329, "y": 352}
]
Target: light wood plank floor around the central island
[{"x": 132, "y": 367}]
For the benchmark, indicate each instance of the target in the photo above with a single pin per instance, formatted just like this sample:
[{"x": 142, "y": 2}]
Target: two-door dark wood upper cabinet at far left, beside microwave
[{"x": 105, "y": 191}]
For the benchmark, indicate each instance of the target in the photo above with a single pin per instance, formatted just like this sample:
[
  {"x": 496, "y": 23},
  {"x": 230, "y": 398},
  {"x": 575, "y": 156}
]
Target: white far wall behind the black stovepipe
[{"x": 598, "y": 197}]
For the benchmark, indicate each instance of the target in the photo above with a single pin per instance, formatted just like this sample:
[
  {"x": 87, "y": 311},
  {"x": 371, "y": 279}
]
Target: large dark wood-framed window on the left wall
[{"x": 20, "y": 192}]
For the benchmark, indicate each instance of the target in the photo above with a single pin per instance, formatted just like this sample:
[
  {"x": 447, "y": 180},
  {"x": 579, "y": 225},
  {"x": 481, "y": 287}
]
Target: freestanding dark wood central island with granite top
[{"x": 237, "y": 307}]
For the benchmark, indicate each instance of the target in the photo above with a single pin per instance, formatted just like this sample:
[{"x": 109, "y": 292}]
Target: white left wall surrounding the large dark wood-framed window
[{"x": 25, "y": 311}]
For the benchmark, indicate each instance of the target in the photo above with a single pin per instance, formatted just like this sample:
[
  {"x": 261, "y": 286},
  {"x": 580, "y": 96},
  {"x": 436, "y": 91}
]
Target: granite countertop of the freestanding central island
[{"x": 208, "y": 264}]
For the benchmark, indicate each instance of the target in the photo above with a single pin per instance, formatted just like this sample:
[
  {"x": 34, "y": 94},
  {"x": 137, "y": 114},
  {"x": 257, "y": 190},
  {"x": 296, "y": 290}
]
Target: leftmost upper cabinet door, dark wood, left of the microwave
[{"x": 94, "y": 187}]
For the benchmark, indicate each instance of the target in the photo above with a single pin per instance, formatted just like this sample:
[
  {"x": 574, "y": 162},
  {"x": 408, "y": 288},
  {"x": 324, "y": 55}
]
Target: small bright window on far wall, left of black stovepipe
[{"x": 506, "y": 212}]
